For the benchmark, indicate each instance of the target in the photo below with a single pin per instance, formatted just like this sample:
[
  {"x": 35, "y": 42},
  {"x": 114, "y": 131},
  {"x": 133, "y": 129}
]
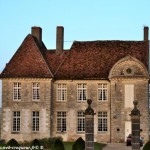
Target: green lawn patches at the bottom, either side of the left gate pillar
[{"x": 97, "y": 146}]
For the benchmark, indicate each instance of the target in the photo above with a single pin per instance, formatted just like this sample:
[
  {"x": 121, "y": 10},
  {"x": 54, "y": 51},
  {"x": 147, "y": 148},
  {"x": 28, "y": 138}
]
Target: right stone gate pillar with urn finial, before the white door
[{"x": 135, "y": 123}]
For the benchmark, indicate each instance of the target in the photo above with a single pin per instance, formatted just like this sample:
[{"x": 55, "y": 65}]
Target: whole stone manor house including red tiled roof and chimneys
[{"x": 113, "y": 73}]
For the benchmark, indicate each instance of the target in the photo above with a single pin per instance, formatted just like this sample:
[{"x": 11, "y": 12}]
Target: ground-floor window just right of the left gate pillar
[{"x": 102, "y": 121}]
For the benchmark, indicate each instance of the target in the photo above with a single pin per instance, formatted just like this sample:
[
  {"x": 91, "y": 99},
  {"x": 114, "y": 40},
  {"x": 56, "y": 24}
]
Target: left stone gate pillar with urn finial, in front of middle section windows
[{"x": 89, "y": 127}]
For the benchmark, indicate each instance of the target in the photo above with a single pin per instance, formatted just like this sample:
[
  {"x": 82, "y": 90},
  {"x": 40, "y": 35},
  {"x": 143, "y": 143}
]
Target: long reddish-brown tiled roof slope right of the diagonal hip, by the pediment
[{"x": 94, "y": 59}]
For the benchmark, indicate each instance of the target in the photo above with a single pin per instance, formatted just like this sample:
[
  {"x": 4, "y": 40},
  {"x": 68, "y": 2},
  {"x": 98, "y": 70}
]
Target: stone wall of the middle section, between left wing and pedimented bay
[{"x": 72, "y": 106}]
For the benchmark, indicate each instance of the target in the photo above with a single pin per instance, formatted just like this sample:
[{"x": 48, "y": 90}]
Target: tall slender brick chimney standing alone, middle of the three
[{"x": 59, "y": 40}]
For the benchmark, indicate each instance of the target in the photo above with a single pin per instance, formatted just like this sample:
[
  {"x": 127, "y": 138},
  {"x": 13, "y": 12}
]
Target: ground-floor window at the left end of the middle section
[{"x": 61, "y": 121}]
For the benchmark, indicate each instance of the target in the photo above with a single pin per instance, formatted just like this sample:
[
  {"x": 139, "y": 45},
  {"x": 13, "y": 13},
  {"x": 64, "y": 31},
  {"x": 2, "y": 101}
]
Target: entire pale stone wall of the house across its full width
[{"x": 48, "y": 106}]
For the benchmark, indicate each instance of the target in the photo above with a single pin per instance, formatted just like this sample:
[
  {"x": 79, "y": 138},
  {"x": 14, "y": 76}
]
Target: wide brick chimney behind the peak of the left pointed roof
[{"x": 37, "y": 33}]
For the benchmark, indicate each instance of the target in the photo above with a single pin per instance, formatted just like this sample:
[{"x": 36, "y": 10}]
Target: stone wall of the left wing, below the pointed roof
[{"x": 26, "y": 106}]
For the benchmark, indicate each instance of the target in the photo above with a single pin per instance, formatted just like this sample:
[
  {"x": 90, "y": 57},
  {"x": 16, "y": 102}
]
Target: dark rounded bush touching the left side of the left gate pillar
[{"x": 79, "y": 144}]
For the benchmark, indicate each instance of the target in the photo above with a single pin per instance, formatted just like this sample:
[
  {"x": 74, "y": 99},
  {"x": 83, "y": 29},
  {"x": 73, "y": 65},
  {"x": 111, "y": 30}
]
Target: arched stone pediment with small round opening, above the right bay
[{"x": 128, "y": 67}]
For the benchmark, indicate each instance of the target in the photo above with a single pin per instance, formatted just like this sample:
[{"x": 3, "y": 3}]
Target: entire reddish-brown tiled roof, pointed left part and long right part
[{"x": 84, "y": 60}]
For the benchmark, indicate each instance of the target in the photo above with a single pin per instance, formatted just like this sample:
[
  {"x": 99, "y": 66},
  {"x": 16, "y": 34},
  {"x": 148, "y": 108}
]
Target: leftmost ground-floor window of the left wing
[{"x": 16, "y": 121}]
